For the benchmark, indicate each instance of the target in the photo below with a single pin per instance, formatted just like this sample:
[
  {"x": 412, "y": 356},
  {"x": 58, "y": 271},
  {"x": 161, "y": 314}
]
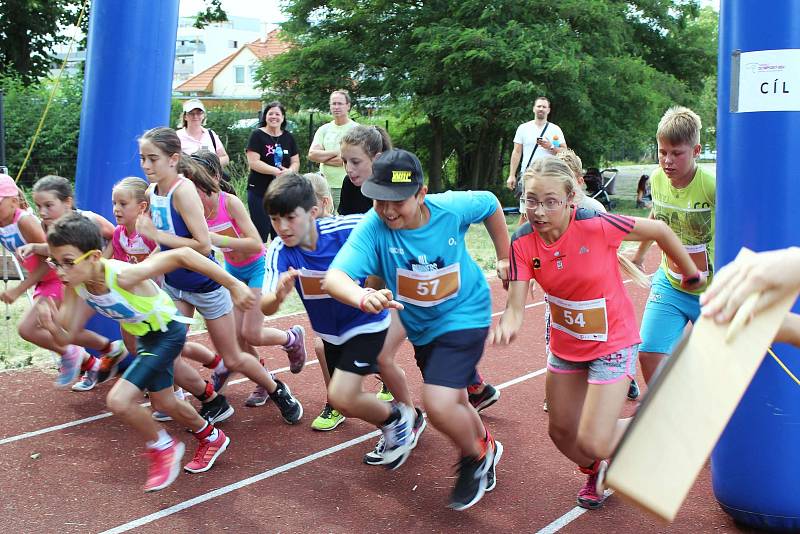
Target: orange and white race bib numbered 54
[{"x": 584, "y": 319}]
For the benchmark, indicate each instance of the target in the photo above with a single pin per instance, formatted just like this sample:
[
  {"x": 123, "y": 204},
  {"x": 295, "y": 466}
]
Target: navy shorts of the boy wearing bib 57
[{"x": 451, "y": 360}]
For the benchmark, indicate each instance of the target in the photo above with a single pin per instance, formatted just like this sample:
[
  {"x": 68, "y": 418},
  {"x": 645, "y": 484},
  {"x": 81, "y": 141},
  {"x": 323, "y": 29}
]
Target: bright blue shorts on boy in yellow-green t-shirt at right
[{"x": 666, "y": 314}]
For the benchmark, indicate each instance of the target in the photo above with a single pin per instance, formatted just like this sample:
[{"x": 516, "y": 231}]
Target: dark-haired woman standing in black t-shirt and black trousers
[{"x": 270, "y": 148}]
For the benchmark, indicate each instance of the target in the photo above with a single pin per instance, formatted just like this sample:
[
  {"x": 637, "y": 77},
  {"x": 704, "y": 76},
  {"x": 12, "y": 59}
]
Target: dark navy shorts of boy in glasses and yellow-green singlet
[{"x": 155, "y": 356}]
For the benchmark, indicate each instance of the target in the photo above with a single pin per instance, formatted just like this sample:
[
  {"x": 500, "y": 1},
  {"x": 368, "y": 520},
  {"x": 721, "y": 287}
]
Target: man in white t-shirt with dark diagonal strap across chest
[{"x": 534, "y": 139}]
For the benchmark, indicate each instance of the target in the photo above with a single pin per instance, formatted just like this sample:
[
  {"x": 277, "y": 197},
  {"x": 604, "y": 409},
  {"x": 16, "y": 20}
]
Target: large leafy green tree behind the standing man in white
[{"x": 473, "y": 68}]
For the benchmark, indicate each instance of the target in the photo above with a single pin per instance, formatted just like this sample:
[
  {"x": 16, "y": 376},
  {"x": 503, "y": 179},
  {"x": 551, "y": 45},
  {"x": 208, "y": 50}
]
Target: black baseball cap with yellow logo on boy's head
[{"x": 396, "y": 176}]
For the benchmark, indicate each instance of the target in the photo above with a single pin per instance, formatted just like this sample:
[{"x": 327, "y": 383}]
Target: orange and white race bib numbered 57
[{"x": 428, "y": 288}]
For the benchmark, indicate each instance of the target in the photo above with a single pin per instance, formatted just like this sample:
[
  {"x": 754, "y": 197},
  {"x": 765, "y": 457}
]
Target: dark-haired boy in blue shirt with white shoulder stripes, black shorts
[{"x": 352, "y": 339}]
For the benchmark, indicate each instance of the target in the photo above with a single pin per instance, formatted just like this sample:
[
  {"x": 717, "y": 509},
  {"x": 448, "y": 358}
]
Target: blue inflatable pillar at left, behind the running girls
[{"x": 127, "y": 90}]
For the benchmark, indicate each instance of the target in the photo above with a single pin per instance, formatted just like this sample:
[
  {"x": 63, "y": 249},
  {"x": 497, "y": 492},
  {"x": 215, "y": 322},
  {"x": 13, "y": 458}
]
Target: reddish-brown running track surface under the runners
[{"x": 67, "y": 466}]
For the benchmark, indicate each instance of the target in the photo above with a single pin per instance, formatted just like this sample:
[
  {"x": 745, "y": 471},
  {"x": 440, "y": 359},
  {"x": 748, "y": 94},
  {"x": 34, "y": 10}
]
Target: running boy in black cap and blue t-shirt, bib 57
[{"x": 416, "y": 244}]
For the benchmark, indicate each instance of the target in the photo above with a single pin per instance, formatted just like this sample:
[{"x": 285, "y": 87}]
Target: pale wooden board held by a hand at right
[{"x": 687, "y": 409}]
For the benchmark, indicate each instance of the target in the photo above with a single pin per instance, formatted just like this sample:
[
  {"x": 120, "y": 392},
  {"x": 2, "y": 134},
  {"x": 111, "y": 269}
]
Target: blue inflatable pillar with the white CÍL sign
[{"x": 755, "y": 467}]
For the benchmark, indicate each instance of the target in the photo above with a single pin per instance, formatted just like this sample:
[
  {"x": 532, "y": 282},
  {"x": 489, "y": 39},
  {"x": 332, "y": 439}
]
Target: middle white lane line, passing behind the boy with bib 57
[{"x": 155, "y": 516}]
